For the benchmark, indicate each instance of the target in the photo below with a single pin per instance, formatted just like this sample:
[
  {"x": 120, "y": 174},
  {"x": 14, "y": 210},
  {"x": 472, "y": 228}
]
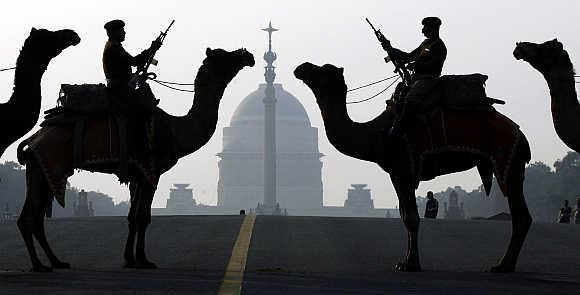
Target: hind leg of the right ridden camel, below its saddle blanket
[{"x": 521, "y": 219}]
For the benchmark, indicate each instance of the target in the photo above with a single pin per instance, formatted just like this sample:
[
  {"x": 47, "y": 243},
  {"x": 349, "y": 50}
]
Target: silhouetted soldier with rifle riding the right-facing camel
[{"x": 126, "y": 104}]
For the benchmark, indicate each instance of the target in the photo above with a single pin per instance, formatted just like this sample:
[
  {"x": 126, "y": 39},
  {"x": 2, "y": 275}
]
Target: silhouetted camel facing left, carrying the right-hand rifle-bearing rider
[{"x": 368, "y": 141}]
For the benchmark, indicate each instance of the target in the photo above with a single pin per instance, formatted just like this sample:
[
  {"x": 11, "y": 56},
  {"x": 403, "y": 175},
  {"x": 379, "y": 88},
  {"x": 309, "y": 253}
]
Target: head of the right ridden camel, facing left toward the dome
[{"x": 325, "y": 82}]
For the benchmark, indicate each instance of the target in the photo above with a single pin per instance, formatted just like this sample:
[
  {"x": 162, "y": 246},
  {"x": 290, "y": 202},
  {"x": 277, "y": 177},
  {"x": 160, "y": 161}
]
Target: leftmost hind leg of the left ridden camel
[{"x": 32, "y": 213}]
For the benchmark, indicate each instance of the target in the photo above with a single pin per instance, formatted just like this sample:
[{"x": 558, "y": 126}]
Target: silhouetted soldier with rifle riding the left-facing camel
[{"x": 426, "y": 62}]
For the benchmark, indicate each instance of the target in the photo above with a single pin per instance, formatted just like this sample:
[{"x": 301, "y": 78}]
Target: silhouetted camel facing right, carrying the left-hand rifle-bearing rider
[{"x": 172, "y": 138}]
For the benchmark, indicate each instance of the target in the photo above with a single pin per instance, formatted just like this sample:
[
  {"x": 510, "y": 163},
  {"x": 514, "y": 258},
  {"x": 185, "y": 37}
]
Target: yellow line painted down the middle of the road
[{"x": 234, "y": 276}]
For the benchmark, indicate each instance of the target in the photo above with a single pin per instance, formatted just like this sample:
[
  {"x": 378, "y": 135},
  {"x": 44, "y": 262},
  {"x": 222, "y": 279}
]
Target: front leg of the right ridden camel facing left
[{"x": 410, "y": 217}]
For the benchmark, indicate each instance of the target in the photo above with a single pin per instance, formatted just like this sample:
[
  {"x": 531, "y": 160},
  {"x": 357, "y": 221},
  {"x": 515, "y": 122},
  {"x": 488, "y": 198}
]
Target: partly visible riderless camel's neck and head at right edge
[{"x": 553, "y": 62}]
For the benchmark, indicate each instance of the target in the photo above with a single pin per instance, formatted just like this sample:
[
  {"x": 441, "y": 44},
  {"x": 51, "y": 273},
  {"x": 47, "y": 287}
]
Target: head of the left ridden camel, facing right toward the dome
[{"x": 223, "y": 66}]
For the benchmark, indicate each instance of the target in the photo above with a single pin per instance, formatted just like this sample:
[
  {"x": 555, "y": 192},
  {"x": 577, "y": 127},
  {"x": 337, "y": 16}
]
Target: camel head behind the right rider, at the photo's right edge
[{"x": 544, "y": 57}]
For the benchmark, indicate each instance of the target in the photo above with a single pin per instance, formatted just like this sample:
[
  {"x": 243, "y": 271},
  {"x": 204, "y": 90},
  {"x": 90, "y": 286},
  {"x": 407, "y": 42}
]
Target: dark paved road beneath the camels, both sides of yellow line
[{"x": 295, "y": 255}]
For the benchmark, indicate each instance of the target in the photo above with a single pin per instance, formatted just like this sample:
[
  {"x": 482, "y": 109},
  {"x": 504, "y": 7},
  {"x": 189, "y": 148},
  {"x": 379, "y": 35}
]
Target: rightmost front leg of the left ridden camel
[{"x": 143, "y": 219}]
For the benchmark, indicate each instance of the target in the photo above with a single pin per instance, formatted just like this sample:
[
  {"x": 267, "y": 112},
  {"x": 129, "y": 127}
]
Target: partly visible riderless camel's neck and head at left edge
[{"x": 21, "y": 112}]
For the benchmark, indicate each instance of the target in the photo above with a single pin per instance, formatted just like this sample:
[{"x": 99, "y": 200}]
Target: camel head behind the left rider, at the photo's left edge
[{"x": 43, "y": 45}]
